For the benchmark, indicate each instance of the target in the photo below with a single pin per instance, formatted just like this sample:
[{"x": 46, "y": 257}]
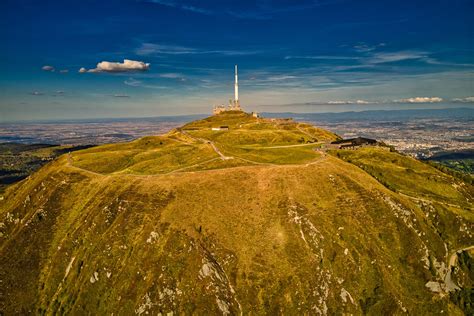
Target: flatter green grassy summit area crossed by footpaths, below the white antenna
[{"x": 248, "y": 138}]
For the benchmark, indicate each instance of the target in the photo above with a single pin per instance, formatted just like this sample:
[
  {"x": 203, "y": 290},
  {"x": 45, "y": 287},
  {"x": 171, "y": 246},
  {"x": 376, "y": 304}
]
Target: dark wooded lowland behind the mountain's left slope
[{"x": 17, "y": 161}]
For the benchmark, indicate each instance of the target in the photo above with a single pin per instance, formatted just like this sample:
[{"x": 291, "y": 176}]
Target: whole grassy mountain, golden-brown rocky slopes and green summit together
[{"x": 249, "y": 220}]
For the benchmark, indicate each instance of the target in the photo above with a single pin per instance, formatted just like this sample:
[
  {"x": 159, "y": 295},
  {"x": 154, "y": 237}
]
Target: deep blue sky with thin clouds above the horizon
[{"x": 293, "y": 56}]
